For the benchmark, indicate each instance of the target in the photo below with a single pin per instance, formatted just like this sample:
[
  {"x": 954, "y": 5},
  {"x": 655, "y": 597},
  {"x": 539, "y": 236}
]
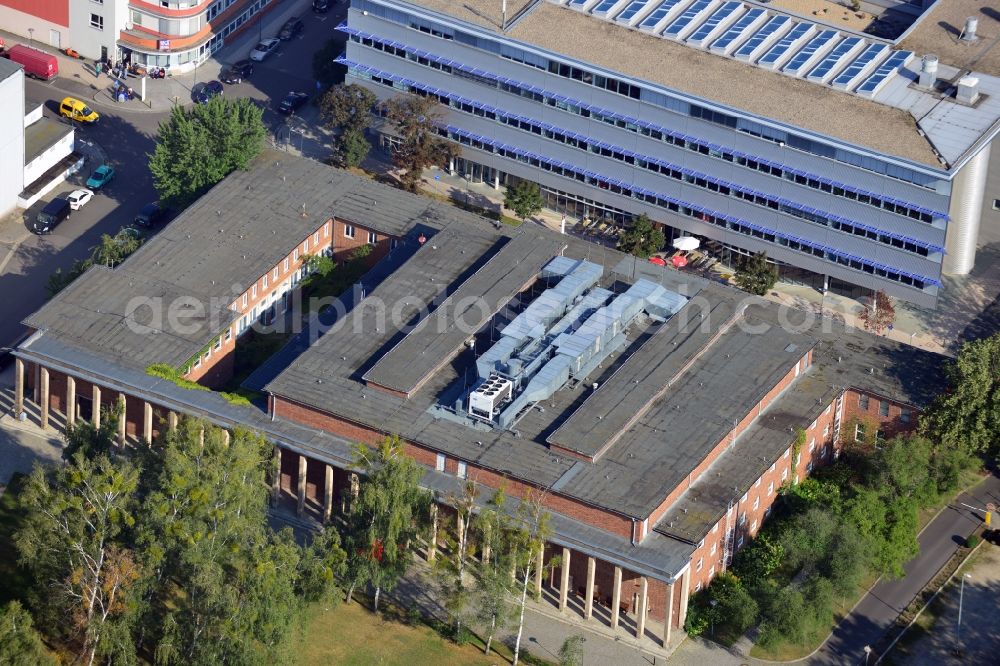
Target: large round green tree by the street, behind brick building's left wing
[{"x": 198, "y": 147}]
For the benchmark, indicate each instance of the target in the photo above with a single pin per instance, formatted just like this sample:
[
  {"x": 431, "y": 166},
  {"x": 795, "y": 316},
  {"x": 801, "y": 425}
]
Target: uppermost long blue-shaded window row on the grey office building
[{"x": 672, "y": 137}]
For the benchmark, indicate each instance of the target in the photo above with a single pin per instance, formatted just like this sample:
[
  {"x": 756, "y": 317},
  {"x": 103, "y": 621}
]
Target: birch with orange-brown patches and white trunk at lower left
[{"x": 76, "y": 514}]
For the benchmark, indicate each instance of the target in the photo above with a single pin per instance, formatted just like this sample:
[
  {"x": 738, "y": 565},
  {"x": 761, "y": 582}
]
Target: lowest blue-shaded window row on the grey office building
[{"x": 688, "y": 210}]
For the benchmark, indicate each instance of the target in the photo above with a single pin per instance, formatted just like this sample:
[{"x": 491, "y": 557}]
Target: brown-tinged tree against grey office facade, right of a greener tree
[{"x": 416, "y": 120}]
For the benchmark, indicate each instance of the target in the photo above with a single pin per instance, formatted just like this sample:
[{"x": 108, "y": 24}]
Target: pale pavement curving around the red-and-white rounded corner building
[{"x": 77, "y": 78}]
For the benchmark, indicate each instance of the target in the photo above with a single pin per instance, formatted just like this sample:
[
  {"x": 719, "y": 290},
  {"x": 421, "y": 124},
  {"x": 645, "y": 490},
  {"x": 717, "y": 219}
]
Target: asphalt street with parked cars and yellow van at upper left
[{"x": 127, "y": 137}]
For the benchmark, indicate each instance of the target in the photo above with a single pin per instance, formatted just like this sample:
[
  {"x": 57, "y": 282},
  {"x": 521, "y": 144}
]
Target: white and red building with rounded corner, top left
[{"x": 176, "y": 34}]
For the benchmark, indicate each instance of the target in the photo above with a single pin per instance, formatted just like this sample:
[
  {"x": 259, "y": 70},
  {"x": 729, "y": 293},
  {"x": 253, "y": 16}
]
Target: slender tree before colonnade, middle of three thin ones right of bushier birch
[{"x": 494, "y": 585}]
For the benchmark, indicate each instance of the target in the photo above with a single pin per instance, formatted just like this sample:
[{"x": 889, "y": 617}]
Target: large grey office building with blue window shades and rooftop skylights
[{"x": 854, "y": 162}]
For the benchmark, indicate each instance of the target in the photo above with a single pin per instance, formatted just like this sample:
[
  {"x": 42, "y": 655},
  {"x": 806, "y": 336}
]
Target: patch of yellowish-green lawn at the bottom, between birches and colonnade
[{"x": 350, "y": 634}]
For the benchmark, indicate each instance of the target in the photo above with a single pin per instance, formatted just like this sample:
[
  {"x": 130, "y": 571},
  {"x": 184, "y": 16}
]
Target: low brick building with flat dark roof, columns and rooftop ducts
[{"x": 655, "y": 413}]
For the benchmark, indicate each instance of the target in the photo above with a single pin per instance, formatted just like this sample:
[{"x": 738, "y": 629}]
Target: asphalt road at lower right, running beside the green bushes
[{"x": 877, "y": 611}]
